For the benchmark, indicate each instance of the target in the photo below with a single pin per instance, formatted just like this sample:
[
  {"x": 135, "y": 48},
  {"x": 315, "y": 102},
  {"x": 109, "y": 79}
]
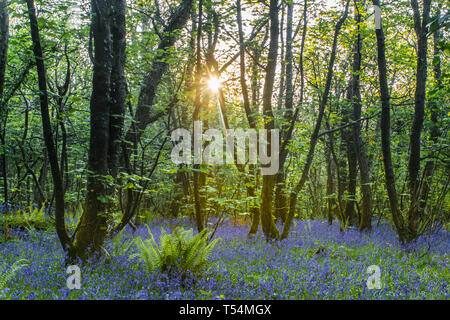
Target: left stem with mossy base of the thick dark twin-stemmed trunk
[{"x": 94, "y": 222}]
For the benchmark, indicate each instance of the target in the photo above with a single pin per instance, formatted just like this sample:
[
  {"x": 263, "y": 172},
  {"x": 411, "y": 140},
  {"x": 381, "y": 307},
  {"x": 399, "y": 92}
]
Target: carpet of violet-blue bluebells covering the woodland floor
[{"x": 316, "y": 262}]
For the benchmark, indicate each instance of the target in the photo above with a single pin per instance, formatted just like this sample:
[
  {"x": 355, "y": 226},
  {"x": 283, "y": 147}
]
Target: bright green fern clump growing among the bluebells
[{"x": 180, "y": 251}]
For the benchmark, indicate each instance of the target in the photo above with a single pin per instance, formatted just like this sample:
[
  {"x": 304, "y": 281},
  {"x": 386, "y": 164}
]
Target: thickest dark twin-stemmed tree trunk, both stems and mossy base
[{"x": 107, "y": 108}]
